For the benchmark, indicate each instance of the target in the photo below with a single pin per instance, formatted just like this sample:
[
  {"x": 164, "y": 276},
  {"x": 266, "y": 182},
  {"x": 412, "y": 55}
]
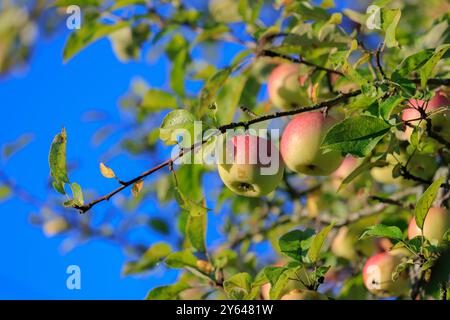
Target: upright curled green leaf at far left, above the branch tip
[{"x": 57, "y": 161}]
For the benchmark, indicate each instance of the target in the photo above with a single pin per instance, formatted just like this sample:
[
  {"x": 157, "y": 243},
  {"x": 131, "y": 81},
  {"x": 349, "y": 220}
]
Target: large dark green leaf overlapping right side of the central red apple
[{"x": 356, "y": 135}]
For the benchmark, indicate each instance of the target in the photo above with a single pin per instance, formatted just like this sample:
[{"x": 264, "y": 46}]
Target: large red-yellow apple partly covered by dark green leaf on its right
[{"x": 300, "y": 145}]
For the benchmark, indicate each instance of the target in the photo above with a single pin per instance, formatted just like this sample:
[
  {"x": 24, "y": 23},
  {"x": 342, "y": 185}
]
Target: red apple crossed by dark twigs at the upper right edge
[{"x": 440, "y": 122}]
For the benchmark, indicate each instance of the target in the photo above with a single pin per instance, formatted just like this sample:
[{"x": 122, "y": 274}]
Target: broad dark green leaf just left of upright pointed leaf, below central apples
[{"x": 295, "y": 244}]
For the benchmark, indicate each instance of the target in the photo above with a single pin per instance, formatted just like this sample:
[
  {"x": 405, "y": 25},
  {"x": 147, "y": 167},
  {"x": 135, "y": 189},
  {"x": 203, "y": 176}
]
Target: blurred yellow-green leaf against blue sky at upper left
[{"x": 89, "y": 33}]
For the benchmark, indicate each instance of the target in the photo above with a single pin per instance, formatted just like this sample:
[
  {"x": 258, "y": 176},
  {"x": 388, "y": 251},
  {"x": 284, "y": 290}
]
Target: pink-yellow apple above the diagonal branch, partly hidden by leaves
[{"x": 284, "y": 86}]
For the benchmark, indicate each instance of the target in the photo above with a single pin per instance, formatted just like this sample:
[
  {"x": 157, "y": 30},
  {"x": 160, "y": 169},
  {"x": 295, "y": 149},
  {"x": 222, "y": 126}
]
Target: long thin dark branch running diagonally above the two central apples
[{"x": 221, "y": 129}]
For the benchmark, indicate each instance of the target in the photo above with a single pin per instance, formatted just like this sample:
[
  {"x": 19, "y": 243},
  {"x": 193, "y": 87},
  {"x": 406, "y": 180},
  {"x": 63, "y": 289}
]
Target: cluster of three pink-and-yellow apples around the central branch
[{"x": 299, "y": 147}]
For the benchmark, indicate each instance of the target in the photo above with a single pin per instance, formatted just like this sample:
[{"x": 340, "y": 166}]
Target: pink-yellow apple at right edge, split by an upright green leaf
[{"x": 436, "y": 224}]
